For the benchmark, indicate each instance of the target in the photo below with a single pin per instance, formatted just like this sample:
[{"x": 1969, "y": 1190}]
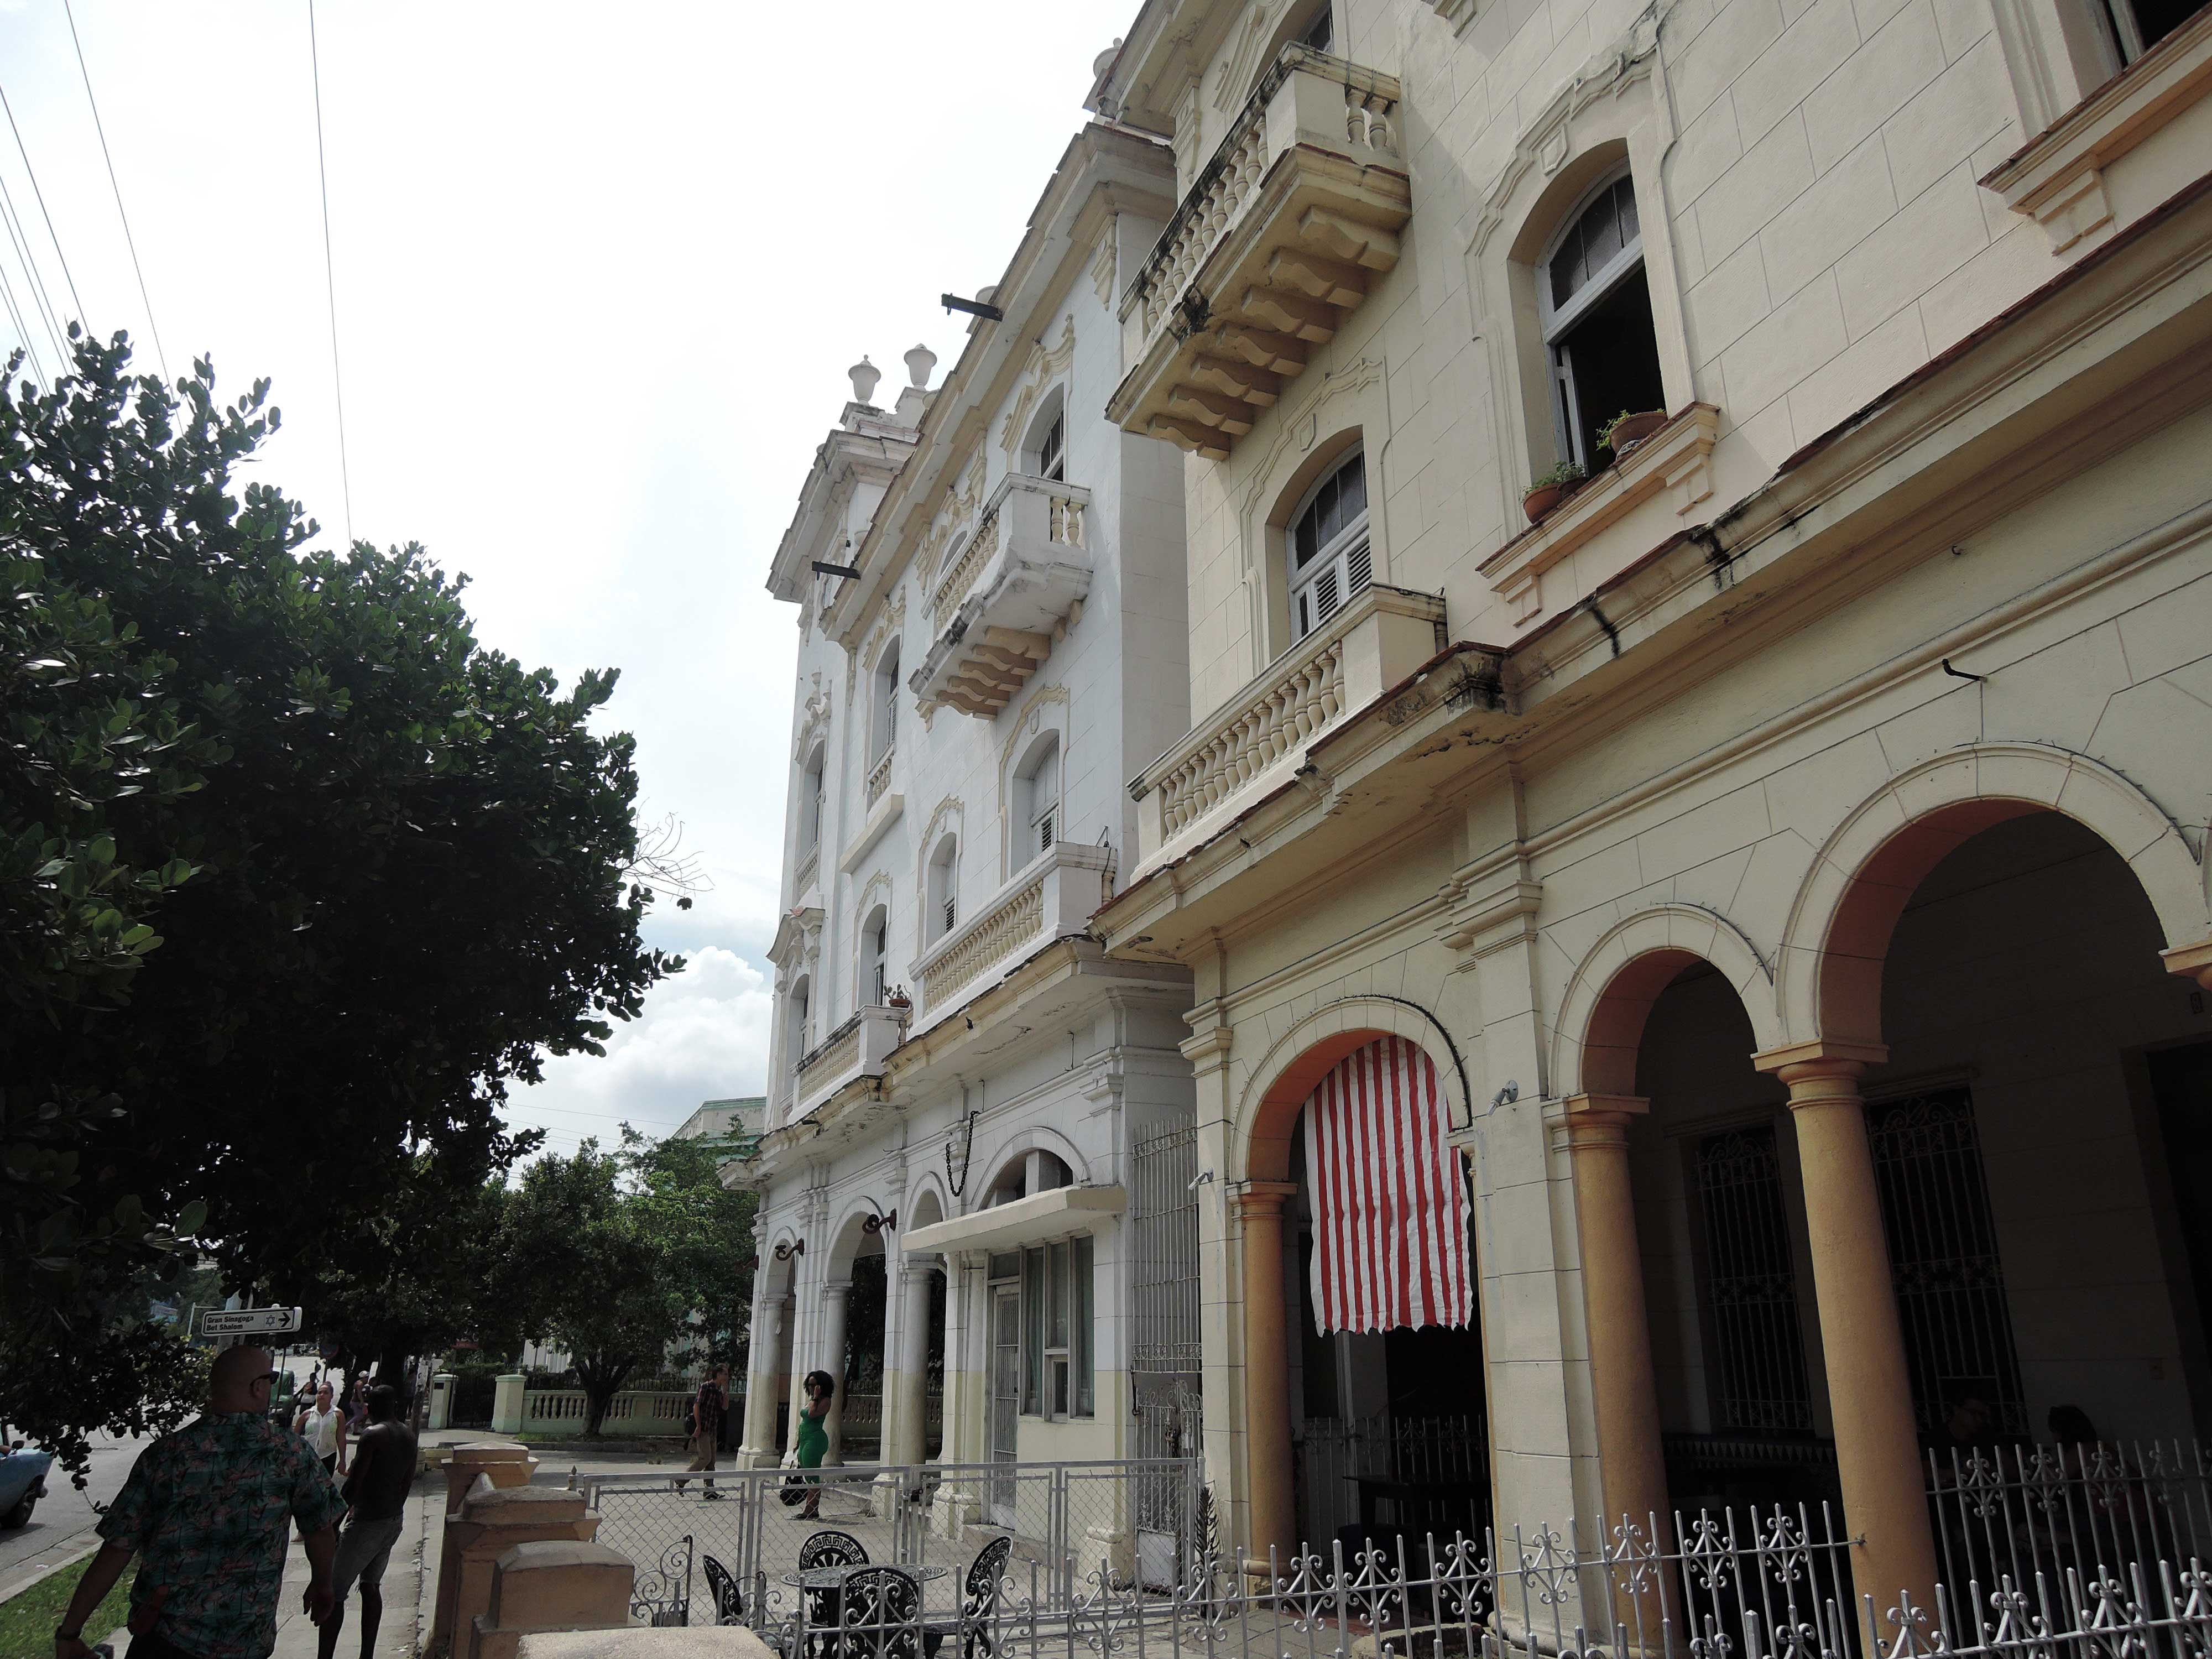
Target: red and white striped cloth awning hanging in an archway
[{"x": 1390, "y": 1204}]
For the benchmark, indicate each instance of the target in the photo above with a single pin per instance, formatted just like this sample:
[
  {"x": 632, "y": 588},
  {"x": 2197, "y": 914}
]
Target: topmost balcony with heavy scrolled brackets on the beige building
[{"x": 1275, "y": 244}]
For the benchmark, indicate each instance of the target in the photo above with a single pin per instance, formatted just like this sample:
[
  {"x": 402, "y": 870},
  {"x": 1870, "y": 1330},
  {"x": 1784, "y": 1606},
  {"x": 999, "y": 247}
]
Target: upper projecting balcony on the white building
[{"x": 1005, "y": 596}]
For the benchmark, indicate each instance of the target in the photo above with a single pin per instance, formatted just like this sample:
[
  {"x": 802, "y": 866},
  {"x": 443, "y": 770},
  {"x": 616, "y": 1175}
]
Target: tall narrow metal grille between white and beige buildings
[{"x": 1165, "y": 1357}]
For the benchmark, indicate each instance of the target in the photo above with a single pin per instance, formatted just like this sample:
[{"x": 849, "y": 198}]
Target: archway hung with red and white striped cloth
[{"x": 1361, "y": 1306}]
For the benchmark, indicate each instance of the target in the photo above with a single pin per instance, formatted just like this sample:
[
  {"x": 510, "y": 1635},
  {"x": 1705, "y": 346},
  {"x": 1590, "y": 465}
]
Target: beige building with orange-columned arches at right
[{"x": 1791, "y": 848}]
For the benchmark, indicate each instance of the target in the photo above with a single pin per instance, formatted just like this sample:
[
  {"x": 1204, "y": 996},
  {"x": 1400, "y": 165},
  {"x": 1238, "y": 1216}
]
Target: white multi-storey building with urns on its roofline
[{"x": 959, "y": 1074}]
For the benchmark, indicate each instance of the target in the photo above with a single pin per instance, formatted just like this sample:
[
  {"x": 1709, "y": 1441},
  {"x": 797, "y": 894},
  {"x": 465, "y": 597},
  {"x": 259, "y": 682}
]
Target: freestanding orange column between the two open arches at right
[{"x": 1868, "y": 1384}]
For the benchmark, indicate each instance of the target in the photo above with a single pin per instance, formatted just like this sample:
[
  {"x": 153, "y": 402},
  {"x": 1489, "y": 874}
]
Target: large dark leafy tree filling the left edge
[{"x": 295, "y": 881}]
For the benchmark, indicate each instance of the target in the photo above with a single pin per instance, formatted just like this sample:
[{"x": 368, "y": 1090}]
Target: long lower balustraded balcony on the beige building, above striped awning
[{"x": 1258, "y": 740}]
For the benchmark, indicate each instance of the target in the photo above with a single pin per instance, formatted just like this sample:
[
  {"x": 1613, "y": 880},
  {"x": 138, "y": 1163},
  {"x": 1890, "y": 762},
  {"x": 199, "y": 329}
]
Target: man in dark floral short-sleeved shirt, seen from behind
[{"x": 209, "y": 1510}]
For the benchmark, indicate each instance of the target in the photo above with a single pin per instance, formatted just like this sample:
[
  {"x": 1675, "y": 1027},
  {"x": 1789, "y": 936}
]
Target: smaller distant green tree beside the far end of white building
[{"x": 620, "y": 1258}]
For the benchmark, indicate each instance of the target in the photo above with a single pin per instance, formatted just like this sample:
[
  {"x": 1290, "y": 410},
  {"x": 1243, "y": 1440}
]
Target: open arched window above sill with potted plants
[{"x": 1598, "y": 322}]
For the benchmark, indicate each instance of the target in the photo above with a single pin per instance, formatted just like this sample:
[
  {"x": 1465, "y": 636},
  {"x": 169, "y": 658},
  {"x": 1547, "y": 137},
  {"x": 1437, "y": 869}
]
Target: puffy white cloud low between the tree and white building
[{"x": 702, "y": 1036}]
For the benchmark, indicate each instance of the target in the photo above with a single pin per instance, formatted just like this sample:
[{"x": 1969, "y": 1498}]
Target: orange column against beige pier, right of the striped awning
[{"x": 1625, "y": 1397}]
